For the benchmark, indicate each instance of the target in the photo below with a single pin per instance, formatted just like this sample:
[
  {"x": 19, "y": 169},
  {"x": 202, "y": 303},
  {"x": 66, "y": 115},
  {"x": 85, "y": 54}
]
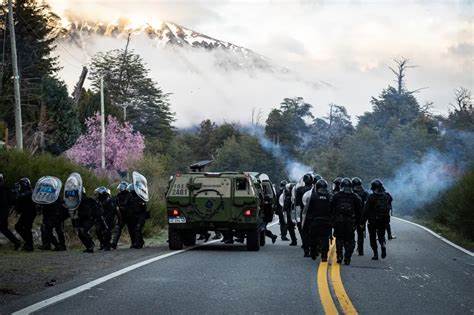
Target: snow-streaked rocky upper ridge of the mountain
[{"x": 170, "y": 34}]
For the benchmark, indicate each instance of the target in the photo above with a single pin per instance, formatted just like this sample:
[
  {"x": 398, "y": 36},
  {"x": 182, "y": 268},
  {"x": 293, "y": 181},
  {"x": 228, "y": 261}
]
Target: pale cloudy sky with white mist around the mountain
[{"x": 348, "y": 44}]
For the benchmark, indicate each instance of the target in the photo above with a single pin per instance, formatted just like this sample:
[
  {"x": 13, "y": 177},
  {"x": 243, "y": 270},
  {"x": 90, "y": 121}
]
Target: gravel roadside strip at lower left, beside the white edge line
[{"x": 22, "y": 273}]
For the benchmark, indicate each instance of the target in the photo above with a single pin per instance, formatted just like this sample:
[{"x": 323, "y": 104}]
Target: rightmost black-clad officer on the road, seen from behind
[{"x": 377, "y": 213}]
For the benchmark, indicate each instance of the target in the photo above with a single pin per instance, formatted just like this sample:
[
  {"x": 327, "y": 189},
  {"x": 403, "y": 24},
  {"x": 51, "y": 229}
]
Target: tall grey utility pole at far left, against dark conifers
[{"x": 16, "y": 80}]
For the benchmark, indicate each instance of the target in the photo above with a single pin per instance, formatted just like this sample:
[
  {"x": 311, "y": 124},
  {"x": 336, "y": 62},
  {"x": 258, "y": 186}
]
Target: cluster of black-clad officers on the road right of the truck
[{"x": 321, "y": 214}]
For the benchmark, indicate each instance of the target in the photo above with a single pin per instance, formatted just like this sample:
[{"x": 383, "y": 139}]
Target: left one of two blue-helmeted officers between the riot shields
[{"x": 110, "y": 215}]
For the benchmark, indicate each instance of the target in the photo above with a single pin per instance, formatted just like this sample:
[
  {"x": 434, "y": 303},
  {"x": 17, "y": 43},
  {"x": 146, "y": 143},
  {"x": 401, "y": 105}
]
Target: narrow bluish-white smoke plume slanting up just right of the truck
[{"x": 294, "y": 169}]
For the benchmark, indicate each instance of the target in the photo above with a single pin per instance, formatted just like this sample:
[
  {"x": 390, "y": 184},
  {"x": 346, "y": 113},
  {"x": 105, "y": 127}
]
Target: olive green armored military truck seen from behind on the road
[{"x": 199, "y": 201}]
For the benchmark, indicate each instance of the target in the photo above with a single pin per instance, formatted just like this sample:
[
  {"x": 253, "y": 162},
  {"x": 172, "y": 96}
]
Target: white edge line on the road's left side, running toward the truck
[{"x": 89, "y": 285}]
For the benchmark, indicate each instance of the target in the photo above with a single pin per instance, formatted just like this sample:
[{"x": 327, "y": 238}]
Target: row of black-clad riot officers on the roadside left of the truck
[{"x": 109, "y": 215}]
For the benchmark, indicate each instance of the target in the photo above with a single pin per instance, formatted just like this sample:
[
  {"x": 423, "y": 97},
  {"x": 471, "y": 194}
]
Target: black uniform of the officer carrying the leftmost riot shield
[{"x": 54, "y": 215}]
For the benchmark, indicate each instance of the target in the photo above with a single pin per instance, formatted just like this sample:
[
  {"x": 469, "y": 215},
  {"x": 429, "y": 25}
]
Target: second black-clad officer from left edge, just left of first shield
[{"x": 26, "y": 208}]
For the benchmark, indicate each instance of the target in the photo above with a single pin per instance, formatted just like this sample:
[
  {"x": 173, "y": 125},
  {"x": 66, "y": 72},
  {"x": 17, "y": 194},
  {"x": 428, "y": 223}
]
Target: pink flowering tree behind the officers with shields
[{"x": 123, "y": 146}]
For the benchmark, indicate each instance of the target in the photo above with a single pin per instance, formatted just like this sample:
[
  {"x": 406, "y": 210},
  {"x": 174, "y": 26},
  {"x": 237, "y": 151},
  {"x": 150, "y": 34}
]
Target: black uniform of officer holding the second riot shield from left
[{"x": 89, "y": 214}]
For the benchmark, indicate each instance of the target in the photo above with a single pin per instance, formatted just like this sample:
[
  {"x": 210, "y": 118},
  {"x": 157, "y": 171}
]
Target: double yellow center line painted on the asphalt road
[{"x": 331, "y": 270}]
